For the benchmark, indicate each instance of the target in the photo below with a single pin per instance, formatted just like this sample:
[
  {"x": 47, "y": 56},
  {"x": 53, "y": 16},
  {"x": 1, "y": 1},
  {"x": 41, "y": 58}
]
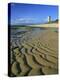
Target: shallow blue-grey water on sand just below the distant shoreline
[{"x": 21, "y": 31}]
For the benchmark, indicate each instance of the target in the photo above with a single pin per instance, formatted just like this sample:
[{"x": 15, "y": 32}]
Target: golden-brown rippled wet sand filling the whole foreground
[{"x": 36, "y": 55}]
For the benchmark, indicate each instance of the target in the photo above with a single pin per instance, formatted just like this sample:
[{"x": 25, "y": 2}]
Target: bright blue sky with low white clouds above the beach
[{"x": 32, "y": 13}]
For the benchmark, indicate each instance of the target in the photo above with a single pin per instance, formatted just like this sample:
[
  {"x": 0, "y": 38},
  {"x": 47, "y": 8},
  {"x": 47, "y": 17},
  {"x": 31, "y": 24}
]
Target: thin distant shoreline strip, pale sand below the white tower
[{"x": 52, "y": 24}]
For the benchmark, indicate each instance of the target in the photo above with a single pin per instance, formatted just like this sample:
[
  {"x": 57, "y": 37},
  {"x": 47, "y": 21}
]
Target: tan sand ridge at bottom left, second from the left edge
[{"x": 23, "y": 65}]
